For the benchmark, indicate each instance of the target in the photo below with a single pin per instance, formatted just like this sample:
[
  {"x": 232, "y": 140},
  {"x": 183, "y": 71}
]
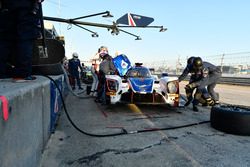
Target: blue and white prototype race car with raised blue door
[{"x": 136, "y": 85}]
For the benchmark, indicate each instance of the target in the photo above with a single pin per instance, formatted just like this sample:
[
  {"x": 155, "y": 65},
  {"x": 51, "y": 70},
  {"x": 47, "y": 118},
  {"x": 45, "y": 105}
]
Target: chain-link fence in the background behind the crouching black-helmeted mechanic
[{"x": 231, "y": 64}]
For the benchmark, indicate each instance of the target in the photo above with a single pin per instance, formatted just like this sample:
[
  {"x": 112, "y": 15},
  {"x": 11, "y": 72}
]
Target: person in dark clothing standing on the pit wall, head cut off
[{"x": 19, "y": 28}]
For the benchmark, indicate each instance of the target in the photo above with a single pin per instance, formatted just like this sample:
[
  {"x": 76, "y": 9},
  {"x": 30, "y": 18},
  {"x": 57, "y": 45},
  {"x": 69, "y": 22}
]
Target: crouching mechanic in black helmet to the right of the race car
[{"x": 210, "y": 77}]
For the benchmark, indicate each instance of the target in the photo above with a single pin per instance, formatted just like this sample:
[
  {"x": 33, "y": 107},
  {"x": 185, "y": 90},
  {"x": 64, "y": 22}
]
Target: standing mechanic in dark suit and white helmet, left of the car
[{"x": 73, "y": 66}]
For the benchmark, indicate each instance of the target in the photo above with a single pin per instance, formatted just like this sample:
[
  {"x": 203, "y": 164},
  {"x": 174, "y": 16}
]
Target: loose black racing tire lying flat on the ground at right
[{"x": 231, "y": 119}]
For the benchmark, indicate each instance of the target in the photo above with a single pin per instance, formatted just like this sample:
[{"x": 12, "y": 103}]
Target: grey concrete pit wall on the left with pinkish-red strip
[{"x": 24, "y": 135}]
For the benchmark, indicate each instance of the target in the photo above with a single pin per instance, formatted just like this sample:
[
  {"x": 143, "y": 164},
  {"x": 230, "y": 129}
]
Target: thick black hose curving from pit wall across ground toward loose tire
[{"x": 124, "y": 131}]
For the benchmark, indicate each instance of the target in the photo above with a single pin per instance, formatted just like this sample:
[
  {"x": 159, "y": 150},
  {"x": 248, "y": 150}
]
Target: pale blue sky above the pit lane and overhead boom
[{"x": 195, "y": 28}]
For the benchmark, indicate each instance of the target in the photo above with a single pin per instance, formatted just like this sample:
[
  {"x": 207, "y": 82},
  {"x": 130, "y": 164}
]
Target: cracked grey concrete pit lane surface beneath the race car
[{"x": 198, "y": 145}]
